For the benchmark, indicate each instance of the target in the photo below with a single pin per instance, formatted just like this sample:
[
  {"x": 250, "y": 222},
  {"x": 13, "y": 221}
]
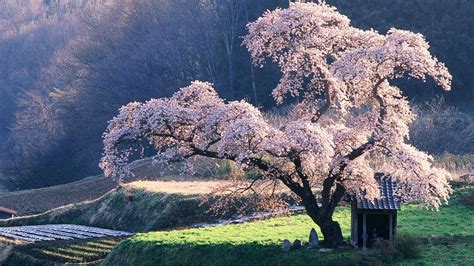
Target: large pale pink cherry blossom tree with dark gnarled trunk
[{"x": 349, "y": 115}]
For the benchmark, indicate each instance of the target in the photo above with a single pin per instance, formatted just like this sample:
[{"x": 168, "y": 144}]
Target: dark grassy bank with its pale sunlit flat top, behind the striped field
[{"x": 137, "y": 206}]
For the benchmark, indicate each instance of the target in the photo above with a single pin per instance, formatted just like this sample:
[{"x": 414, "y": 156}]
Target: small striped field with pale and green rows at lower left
[{"x": 56, "y": 243}]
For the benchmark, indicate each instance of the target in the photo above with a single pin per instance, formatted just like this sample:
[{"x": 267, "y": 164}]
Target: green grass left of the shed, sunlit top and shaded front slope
[{"x": 248, "y": 243}]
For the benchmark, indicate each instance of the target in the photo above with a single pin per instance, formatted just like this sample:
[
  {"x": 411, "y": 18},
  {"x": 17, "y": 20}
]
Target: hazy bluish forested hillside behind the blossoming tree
[{"x": 67, "y": 66}]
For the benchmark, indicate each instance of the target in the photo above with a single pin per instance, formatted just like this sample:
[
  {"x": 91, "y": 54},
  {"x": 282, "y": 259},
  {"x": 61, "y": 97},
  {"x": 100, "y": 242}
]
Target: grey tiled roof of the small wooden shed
[{"x": 388, "y": 199}]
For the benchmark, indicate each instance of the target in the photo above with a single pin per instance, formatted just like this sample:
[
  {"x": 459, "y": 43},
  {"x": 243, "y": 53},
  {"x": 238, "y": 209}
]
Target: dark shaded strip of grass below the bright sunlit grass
[{"x": 146, "y": 253}]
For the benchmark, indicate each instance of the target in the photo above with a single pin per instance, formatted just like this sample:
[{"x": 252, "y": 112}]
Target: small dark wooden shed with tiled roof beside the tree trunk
[{"x": 374, "y": 220}]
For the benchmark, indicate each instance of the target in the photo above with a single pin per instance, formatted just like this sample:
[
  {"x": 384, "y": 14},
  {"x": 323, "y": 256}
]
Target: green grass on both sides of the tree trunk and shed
[{"x": 447, "y": 234}]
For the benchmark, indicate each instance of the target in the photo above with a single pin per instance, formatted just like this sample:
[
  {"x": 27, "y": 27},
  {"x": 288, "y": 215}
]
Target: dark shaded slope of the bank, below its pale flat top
[{"x": 128, "y": 208}]
